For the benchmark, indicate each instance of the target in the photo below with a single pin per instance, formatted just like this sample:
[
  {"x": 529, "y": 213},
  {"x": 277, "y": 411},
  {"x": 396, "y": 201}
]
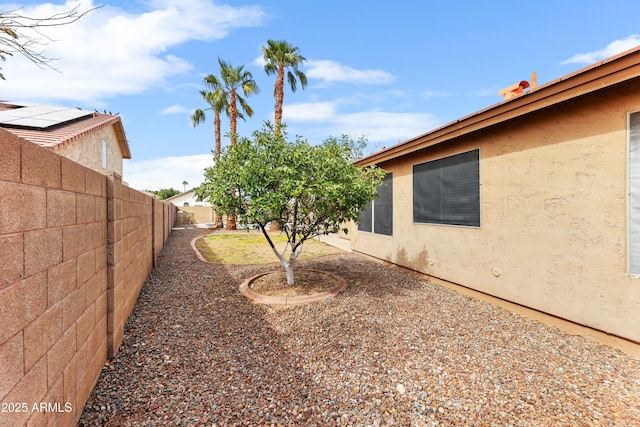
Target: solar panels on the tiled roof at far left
[{"x": 39, "y": 116}]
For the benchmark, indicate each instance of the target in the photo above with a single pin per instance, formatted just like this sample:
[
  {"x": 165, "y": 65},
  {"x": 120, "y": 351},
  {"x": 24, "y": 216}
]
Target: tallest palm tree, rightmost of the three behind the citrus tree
[{"x": 280, "y": 55}]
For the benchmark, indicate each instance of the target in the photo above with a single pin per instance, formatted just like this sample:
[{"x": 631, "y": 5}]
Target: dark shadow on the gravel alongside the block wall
[{"x": 195, "y": 352}]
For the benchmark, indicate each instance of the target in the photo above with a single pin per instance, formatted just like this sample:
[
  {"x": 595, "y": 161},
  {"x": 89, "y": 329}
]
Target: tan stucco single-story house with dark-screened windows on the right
[{"x": 534, "y": 200}]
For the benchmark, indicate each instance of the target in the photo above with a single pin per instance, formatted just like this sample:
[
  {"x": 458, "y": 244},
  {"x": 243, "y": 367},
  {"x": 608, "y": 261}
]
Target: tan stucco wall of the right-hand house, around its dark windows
[{"x": 553, "y": 232}]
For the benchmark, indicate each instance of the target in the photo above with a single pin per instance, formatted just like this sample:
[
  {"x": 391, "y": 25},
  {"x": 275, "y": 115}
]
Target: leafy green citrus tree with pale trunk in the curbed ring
[{"x": 308, "y": 190}]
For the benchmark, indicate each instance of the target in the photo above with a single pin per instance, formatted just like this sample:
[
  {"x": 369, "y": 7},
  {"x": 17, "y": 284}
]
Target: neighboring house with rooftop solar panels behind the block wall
[{"x": 92, "y": 139}]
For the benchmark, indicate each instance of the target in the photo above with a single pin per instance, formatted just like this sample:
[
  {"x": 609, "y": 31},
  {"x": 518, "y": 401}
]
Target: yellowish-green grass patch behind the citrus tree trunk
[{"x": 253, "y": 248}]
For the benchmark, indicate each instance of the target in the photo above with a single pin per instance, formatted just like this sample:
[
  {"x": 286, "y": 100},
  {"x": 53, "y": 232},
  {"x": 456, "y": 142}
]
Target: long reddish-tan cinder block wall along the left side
[{"x": 75, "y": 249}]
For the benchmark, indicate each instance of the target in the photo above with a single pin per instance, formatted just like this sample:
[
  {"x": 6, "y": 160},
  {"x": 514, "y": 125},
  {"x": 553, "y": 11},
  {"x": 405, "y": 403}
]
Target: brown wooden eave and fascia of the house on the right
[{"x": 614, "y": 70}]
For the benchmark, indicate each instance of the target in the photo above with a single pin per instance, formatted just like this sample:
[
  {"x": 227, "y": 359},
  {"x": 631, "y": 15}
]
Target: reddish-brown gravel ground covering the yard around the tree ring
[{"x": 391, "y": 349}]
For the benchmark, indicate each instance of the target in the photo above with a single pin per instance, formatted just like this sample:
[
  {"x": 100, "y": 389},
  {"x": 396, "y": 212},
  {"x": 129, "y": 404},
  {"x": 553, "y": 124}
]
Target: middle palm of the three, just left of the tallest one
[{"x": 234, "y": 79}]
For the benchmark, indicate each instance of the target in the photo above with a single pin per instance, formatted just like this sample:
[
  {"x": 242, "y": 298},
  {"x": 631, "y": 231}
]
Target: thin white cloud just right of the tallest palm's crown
[{"x": 331, "y": 71}]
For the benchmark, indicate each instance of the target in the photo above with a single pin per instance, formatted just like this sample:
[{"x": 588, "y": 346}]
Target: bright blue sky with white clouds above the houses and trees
[{"x": 384, "y": 70}]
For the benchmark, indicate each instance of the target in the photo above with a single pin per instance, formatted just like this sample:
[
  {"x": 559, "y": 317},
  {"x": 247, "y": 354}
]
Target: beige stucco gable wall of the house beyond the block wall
[{"x": 87, "y": 150}]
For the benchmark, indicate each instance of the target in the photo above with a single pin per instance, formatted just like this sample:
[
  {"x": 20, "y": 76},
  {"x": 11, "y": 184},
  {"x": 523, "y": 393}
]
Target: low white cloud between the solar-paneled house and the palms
[{"x": 166, "y": 172}]
